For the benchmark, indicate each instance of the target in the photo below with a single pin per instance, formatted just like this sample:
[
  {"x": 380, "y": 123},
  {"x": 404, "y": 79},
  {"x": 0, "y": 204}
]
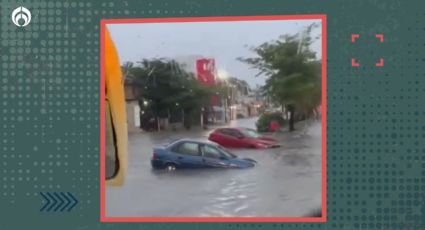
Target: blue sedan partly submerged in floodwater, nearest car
[{"x": 188, "y": 153}]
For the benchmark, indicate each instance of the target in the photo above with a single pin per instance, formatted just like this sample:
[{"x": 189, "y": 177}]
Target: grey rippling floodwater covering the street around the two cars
[{"x": 285, "y": 183}]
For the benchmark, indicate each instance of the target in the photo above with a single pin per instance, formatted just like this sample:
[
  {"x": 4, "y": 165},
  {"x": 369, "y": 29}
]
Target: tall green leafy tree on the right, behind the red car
[{"x": 291, "y": 70}]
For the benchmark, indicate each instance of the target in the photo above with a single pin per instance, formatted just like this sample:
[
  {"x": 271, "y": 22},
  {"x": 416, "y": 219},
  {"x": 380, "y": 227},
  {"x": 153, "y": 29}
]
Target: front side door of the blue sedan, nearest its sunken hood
[{"x": 213, "y": 158}]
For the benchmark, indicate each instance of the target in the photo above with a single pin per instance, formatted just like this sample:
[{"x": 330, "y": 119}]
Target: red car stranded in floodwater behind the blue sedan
[{"x": 242, "y": 138}]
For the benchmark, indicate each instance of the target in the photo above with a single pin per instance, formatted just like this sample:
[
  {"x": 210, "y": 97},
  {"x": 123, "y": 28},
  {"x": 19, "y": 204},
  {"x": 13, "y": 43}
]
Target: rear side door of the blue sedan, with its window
[{"x": 187, "y": 155}]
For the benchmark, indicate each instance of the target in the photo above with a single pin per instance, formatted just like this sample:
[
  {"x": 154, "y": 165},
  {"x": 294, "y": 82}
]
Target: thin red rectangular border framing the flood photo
[{"x": 104, "y": 22}]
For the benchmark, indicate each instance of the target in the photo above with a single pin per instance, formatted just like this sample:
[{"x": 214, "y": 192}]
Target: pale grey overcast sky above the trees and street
[{"x": 224, "y": 41}]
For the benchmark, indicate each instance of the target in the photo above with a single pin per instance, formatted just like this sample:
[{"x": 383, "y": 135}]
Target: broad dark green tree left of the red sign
[{"x": 165, "y": 86}]
